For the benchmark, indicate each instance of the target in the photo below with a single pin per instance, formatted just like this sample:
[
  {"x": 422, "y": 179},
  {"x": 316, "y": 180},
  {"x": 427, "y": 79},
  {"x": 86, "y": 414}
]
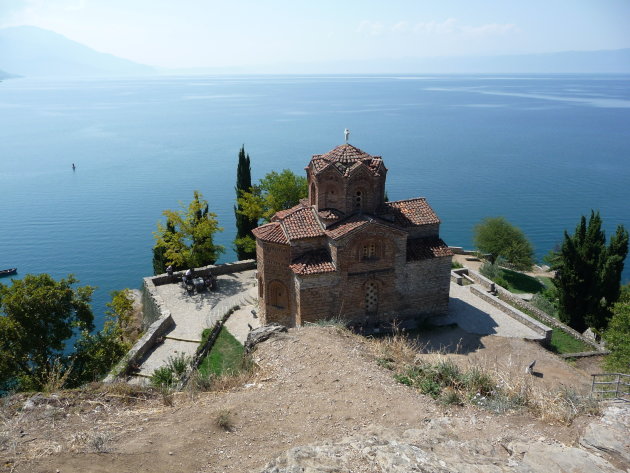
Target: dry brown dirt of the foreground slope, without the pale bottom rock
[{"x": 313, "y": 384}]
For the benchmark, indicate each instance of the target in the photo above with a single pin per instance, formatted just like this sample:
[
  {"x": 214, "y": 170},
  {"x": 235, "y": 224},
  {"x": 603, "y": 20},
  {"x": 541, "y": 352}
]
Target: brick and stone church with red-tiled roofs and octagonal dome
[{"x": 346, "y": 253}]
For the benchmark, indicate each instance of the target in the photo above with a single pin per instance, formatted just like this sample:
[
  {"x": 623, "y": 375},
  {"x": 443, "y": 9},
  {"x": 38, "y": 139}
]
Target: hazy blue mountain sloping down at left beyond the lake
[{"x": 31, "y": 51}]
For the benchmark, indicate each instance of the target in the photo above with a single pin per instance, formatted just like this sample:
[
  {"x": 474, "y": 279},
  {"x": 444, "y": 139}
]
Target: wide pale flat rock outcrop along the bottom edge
[{"x": 384, "y": 451}]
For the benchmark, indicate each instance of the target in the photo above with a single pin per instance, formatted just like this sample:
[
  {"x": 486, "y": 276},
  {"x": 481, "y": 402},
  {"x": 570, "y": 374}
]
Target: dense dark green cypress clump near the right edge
[{"x": 588, "y": 273}]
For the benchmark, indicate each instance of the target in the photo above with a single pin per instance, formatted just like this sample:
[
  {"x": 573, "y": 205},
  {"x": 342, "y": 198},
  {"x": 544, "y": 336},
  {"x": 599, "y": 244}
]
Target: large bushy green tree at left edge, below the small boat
[{"x": 37, "y": 316}]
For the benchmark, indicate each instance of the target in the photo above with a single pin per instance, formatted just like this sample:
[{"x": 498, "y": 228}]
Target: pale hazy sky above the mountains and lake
[{"x": 192, "y": 33}]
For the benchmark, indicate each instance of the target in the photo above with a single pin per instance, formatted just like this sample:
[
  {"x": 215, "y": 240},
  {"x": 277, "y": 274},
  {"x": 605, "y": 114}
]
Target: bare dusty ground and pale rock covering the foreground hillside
[{"x": 319, "y": 402}]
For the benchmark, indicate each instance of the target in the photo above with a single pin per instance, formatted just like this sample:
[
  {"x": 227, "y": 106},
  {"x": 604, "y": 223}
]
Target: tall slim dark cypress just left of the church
[{"x": 244, "y": 243}]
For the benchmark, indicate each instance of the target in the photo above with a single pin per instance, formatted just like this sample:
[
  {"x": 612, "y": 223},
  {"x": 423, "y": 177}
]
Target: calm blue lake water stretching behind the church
[{"x": 539, "y": 150}]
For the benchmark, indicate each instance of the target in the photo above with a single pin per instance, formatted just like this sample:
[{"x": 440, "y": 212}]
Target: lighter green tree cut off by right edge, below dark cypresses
[{"x": 617, "y": 337}]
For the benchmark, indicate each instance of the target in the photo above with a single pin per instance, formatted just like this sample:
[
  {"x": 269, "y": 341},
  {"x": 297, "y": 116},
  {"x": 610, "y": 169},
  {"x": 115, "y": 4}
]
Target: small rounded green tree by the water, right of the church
[{"x": 499, "y": 238}]
